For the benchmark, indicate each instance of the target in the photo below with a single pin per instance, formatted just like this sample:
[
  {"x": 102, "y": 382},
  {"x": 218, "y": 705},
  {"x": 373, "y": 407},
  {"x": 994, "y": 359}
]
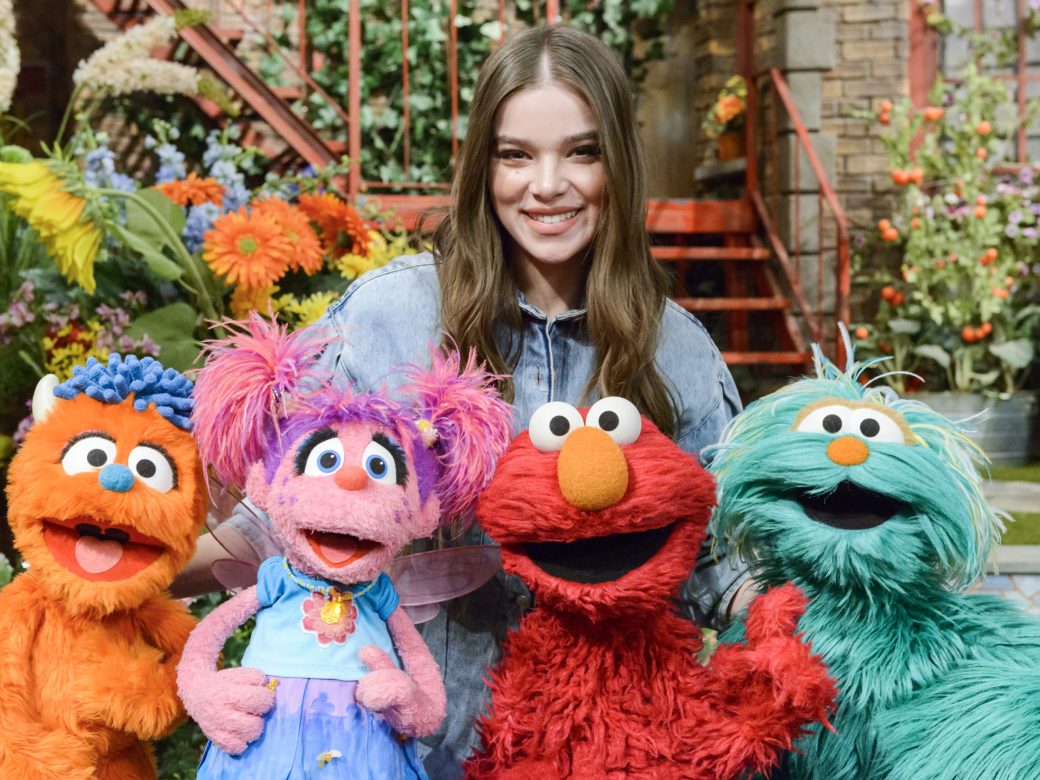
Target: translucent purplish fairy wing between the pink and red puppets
[{"x": 426, "y": 580}]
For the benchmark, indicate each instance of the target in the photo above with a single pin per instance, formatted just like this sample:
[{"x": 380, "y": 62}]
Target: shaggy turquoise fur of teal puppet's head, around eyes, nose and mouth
[{"x": 947, "y": 526}]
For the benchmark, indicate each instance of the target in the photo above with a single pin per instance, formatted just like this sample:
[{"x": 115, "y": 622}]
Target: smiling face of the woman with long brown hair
[{"x": 547, "y": 175}]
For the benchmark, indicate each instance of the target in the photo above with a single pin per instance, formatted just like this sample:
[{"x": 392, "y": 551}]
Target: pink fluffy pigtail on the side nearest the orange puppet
[{"x": 244, "y": 388}]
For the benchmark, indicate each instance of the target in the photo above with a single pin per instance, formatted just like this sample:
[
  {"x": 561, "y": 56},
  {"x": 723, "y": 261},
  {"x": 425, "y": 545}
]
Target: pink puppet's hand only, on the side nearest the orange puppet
[{"x": 229, "y": 707}]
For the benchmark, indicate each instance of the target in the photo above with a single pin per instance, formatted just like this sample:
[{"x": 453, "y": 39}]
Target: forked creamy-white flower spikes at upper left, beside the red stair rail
[{"x": 124, "y": 65}]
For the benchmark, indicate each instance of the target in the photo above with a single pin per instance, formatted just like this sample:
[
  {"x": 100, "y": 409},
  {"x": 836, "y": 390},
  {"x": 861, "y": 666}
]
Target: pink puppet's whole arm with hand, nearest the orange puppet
[{"x": 228, "y": 706}]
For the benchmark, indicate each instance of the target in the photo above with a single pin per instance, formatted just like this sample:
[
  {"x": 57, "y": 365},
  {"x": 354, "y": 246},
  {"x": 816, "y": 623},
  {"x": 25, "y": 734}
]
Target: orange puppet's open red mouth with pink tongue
[{"x": 99, "y": 552}]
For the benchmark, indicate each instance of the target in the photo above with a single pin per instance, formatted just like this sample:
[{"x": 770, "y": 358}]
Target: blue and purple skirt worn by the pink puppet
[{"x": 317, "y": 731}]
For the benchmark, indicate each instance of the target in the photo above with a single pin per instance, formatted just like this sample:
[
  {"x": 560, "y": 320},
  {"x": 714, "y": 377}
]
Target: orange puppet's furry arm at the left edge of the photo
[{"x": 31, "y": 749}]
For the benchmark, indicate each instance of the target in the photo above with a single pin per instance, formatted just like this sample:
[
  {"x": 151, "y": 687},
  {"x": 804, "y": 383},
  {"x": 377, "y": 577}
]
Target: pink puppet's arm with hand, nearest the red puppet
[{"x": 412, "y": 700}]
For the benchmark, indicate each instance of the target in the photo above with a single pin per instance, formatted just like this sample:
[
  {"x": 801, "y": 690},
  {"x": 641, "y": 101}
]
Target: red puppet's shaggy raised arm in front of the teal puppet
[{"x": 765, "y": 693}]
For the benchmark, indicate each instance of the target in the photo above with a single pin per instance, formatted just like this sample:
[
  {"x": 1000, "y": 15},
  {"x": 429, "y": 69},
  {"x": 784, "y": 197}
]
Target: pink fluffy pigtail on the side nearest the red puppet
[{"x": 465, "y": 422}]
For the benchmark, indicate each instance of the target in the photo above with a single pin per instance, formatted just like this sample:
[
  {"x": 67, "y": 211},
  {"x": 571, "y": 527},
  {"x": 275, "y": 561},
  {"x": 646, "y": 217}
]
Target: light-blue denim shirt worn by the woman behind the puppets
[{"x": 389, "y": 318}]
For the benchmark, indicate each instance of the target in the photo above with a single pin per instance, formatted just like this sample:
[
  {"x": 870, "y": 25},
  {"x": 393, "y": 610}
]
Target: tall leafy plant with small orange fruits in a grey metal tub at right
[{"x": 961, "y": 313}]
